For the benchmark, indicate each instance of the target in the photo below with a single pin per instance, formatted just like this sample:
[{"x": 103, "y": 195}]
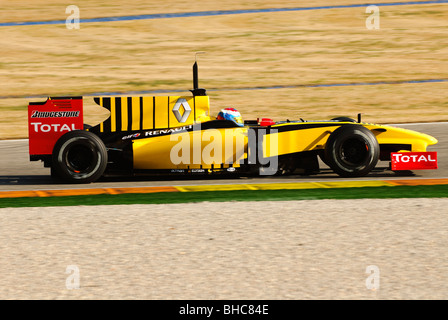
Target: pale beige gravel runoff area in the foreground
[{"x": 326, "y": 249}]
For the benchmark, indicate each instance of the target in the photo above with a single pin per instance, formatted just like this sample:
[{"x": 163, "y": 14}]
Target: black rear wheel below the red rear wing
[{"x": 79, "y": 157}]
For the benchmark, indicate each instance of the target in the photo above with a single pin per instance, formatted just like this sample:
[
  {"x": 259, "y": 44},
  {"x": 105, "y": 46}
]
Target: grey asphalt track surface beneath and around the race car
[{"x": 18, "y": 173}]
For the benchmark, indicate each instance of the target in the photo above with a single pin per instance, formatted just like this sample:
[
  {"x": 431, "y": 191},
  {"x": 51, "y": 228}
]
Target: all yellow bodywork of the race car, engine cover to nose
[{"x": 166, "y": 140}]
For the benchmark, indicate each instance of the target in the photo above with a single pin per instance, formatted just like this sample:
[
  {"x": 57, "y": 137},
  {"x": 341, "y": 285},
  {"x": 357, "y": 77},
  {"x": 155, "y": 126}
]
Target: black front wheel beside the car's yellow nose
[{"x": 352, "y": 151}]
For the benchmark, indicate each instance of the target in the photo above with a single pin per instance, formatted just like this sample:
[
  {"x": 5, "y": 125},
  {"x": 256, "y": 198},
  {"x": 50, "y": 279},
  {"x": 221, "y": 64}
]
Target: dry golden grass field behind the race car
[{"x": 244, "y": 50}]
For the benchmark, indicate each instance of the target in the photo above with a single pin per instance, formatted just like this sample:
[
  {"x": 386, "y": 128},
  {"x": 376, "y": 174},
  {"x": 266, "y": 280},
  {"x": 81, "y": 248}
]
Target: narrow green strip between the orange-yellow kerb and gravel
[{"x": 434, "y": 191}]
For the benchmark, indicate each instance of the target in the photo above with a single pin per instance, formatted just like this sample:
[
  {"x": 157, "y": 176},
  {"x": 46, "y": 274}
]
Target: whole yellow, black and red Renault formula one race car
[{"x": 176, "y": 135}]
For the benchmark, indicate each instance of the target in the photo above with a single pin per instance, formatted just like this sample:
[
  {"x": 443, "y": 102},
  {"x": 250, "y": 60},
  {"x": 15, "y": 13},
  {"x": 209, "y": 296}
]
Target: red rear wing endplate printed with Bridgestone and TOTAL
[{"x": 49, "y": 120}]
